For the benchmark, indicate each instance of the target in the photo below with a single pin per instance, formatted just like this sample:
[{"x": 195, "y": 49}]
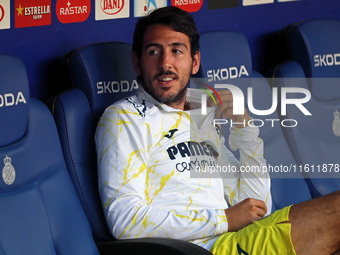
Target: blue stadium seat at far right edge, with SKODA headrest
[{"x": 314, "y": 64}]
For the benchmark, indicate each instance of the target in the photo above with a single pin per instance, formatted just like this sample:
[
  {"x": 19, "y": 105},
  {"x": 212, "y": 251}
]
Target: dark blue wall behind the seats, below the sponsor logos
[{"x": 41, "y": 47}]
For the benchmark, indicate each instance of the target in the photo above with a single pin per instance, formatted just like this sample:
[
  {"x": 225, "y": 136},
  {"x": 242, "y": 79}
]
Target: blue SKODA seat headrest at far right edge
[{"x": 315, "y": 44}]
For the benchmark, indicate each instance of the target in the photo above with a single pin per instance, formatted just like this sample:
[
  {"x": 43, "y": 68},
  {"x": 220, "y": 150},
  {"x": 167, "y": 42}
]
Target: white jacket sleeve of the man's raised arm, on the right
[{"x": 249, "y": 181}]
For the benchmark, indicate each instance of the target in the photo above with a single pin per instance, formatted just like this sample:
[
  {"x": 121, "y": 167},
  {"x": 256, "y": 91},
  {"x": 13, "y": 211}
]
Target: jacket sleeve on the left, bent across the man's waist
[{"x": 122, "y": 152}]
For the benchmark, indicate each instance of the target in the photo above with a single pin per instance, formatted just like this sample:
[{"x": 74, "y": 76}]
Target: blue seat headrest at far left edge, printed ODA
[{"x": 14, "y": 99}]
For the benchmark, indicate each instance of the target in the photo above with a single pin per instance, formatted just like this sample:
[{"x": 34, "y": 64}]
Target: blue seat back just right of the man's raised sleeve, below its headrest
[{"x": 287, "y": 188}]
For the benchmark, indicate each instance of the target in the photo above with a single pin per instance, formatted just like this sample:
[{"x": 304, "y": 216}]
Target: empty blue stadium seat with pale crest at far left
[{"x": 40, "y": 211}]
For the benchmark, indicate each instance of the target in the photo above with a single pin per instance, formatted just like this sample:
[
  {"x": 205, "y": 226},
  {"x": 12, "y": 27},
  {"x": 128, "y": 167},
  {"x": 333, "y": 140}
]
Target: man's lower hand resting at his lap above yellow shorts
[{"x": 245, "y": 213}]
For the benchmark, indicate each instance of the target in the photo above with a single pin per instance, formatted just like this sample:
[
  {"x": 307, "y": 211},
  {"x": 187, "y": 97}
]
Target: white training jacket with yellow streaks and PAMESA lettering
[{"x": 152, "y": 170}]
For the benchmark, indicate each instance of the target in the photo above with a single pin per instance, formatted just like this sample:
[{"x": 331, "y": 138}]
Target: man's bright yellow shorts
[{"x": 264, "y": 237}]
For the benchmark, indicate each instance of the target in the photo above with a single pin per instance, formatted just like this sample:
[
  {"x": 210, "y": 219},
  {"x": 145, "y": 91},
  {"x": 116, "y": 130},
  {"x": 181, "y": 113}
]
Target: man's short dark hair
[{"x": 179, "y": 20}]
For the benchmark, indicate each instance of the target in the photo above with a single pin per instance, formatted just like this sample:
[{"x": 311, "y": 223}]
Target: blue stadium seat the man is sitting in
[{"x": 101, "y": 73}]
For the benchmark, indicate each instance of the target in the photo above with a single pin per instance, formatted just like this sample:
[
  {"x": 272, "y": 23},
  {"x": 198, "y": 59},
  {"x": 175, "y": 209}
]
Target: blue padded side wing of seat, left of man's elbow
[{"x": 76, "y": 126}]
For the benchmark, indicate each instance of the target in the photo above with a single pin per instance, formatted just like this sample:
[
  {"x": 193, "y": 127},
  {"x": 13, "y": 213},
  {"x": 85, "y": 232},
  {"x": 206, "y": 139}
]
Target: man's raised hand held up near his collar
[{"x": 226, "y": 109}]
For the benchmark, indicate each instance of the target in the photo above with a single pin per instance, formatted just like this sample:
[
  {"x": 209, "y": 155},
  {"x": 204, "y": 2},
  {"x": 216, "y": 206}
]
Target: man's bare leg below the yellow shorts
[{"x": 316, "y": 225}]
